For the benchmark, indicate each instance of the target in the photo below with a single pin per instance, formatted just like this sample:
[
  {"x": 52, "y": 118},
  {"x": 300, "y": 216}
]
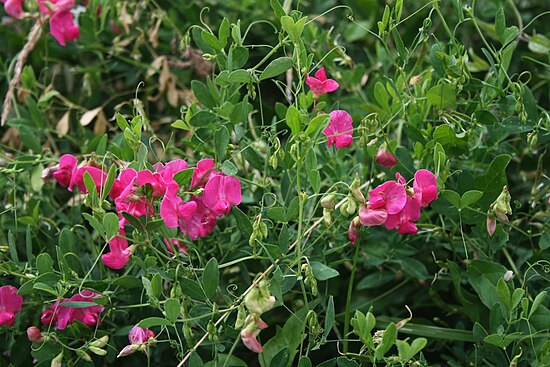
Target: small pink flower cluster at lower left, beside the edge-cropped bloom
[{"x": 60, "y": 315}]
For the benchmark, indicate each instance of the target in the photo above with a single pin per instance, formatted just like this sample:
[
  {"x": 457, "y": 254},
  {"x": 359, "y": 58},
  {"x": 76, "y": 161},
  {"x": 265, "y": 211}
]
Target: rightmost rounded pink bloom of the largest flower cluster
[{"x": 220, "y": 193}]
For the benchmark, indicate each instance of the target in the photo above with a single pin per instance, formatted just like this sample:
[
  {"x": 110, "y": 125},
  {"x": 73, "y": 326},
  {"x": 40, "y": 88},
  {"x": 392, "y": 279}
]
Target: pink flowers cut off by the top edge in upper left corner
[{"x": 62, "y": 23}]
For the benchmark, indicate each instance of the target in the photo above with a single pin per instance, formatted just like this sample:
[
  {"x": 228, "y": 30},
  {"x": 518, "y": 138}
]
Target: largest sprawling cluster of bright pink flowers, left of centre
[{"x": 211, "y": 195}]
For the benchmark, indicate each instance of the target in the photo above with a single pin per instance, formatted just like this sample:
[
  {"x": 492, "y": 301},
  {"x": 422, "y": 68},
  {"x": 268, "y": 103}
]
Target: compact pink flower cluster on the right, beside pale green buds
[{"x": 396, "y": 205}]
